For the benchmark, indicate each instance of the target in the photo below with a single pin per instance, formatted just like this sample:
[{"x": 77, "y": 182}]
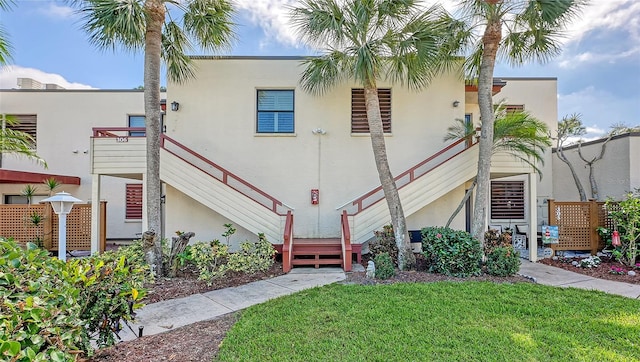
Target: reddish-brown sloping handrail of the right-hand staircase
[{"x": 413, "y": 173}]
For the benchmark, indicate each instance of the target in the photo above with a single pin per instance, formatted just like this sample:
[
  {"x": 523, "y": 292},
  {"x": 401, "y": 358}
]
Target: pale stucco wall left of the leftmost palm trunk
[{"x": 65, "y": 119}]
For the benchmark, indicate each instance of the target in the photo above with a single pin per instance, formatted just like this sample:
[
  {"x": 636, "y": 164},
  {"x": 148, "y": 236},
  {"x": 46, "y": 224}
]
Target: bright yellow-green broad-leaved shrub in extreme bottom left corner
[{"x": 39, "y": 313}]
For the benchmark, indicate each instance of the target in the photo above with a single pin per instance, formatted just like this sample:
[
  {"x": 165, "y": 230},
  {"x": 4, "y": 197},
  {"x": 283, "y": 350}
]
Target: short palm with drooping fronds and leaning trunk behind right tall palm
[{"x": 517, "y": 133}]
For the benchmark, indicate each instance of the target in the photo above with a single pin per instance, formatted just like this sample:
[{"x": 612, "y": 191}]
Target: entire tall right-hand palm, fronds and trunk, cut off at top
[{"x": 532, "y": 30}]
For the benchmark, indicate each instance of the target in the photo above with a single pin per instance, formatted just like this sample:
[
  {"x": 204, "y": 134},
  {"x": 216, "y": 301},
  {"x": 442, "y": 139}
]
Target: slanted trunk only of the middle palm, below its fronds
[{"x": 405, "y": 255}]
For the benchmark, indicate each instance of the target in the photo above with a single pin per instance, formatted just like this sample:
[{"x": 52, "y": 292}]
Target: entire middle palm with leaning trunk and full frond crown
[{"x": 370, "y": 40}]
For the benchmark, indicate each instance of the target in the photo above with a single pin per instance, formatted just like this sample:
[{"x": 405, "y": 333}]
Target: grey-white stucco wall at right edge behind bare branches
[{"x": 616, "y": 174}]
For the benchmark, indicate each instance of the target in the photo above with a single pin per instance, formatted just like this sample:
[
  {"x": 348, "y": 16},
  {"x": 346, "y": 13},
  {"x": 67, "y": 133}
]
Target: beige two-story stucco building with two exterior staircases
[{"x": 246, "y": 144}]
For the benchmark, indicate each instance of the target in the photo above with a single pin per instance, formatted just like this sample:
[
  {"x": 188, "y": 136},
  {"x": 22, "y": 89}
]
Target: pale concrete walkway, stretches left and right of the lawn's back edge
[{"x": 170, "y": 314}]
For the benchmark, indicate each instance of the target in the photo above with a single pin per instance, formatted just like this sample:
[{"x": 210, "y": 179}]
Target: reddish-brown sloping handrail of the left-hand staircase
[{"x": 227, "y": 176}]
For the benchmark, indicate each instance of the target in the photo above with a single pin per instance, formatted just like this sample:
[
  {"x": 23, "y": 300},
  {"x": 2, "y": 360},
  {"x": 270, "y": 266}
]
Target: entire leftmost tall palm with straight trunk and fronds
[{"x": 148, "y": 25}]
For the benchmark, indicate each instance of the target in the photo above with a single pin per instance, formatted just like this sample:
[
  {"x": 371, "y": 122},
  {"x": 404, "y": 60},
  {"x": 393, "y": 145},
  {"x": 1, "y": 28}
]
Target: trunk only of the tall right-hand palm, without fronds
[{"x": 491, "y": 41}]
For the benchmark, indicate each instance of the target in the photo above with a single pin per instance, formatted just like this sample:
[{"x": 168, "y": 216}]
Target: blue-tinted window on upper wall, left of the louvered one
[{"x": 275, "y": 111}]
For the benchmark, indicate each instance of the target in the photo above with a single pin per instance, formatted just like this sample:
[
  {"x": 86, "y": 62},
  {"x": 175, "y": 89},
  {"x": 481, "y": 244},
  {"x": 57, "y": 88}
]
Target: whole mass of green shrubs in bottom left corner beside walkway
[{"x": 50, "y": 309}]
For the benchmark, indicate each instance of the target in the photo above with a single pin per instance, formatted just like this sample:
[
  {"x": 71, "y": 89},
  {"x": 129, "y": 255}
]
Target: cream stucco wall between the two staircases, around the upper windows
[{"x": 217, "y": 119}]
